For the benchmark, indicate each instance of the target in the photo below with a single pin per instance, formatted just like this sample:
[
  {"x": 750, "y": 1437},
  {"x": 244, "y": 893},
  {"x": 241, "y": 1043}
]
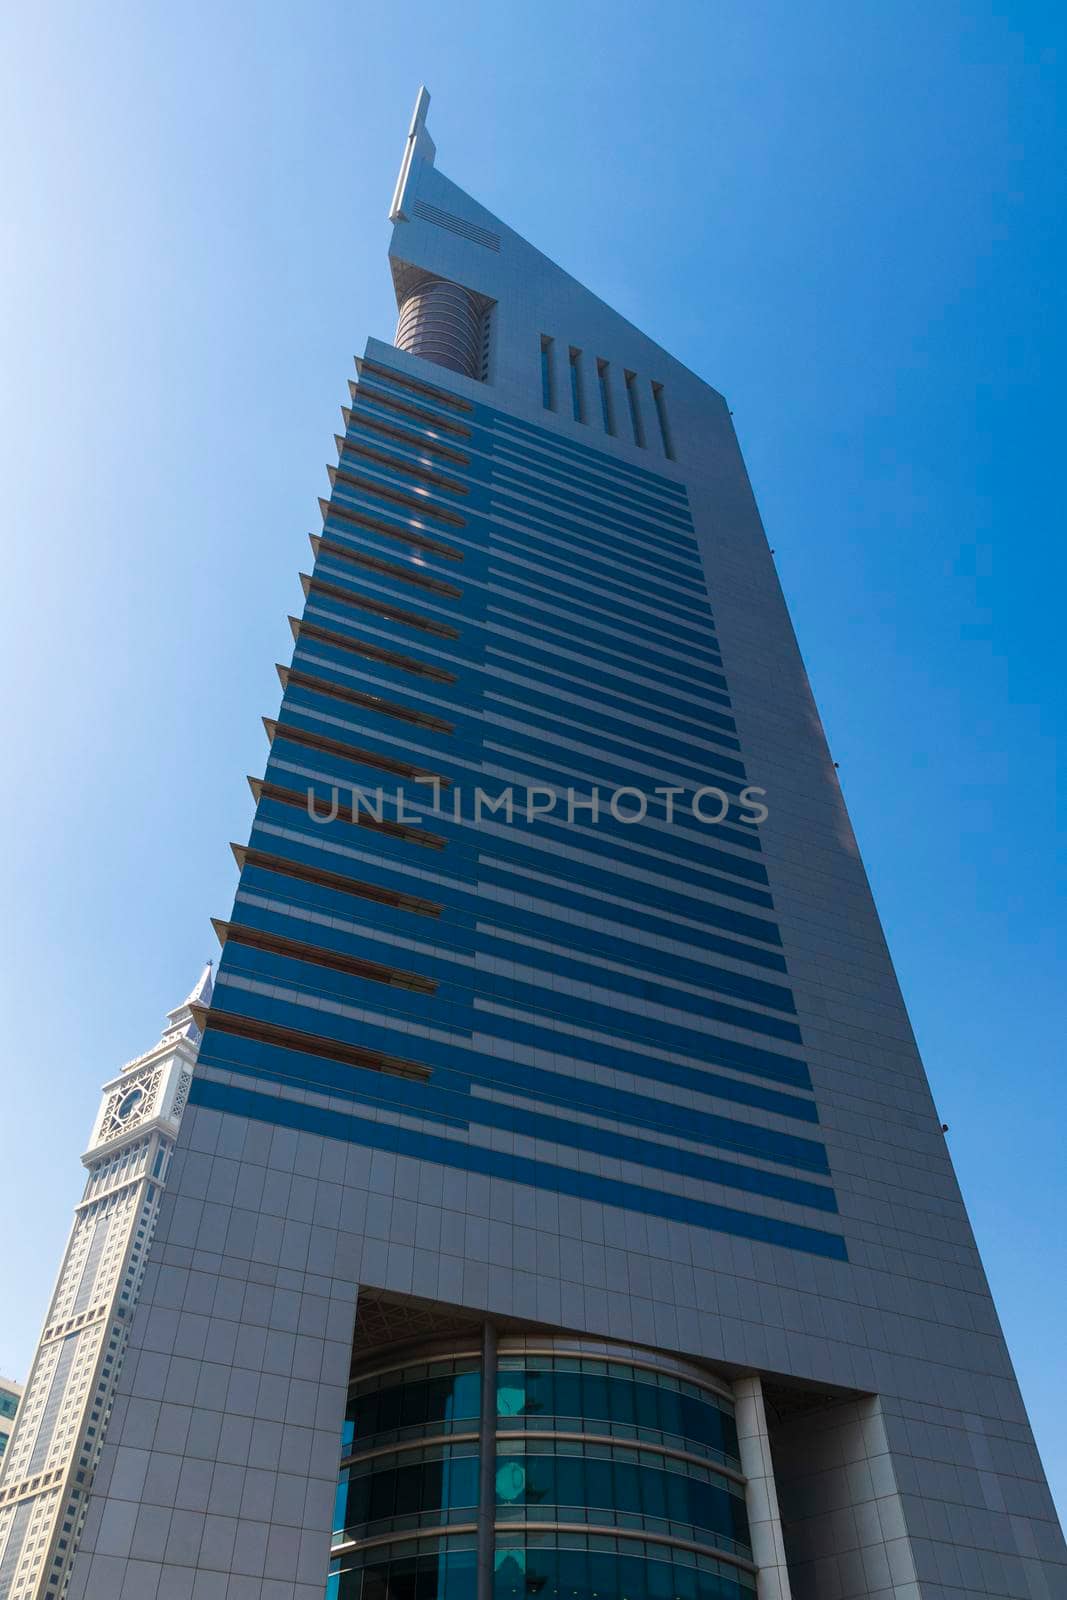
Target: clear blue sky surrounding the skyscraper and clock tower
[{"x": 847, "y": 217}]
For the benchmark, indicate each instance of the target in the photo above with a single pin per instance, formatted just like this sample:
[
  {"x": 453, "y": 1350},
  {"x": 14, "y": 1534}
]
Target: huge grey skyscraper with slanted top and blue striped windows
[{"x": 561, "y": 1207}]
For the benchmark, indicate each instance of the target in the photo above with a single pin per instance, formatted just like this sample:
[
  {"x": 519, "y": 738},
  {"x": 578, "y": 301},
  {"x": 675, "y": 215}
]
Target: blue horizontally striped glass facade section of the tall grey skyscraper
[{"x": 495, "y": 614}]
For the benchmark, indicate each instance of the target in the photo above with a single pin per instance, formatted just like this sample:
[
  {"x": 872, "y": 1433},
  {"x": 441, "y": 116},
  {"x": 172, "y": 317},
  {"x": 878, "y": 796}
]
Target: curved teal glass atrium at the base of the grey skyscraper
[{"x": 613, "y": 1474}]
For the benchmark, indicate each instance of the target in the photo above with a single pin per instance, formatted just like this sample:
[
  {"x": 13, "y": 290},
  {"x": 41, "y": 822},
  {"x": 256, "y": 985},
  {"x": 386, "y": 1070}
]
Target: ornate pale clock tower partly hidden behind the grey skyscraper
[{"x": 52, "y": 1457}]
